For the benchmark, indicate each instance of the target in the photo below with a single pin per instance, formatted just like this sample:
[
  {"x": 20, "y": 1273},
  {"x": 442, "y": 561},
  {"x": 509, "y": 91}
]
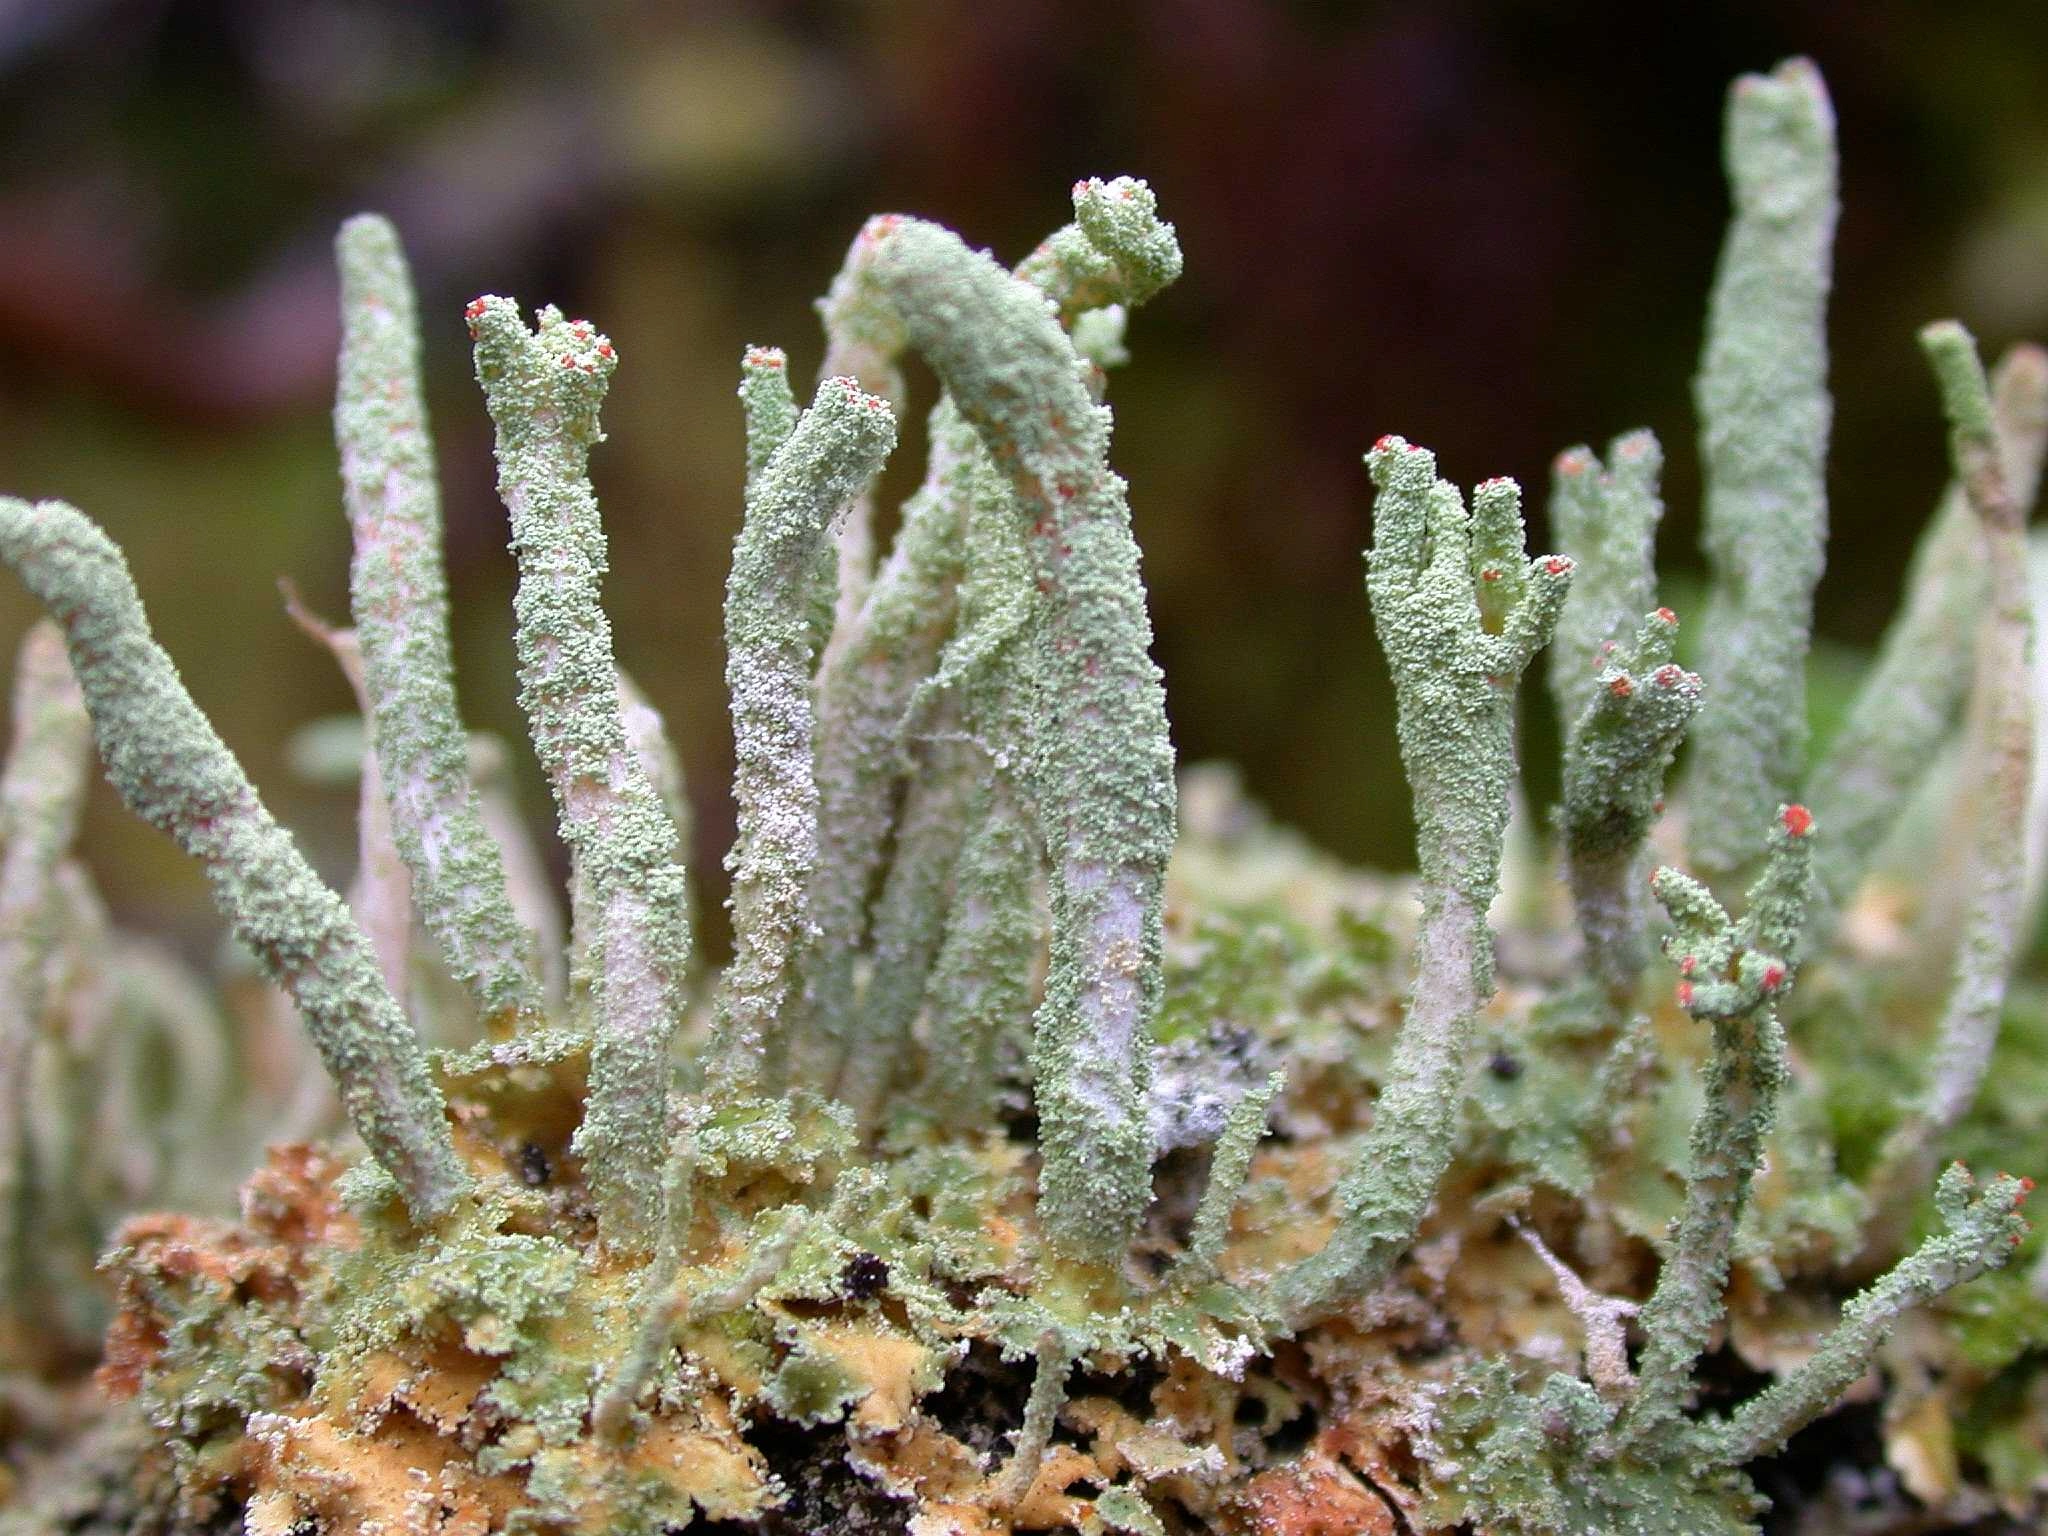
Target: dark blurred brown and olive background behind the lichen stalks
[{"x": 1490, "y": 228}]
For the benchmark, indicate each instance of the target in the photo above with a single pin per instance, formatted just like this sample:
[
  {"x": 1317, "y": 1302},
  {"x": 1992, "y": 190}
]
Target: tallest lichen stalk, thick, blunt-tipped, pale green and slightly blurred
[{"x": 1764, "y": 419}]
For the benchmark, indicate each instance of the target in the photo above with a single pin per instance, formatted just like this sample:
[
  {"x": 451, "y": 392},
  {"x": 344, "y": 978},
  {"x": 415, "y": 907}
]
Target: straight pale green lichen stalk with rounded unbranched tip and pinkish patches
[{"x": 400, "y": 601}]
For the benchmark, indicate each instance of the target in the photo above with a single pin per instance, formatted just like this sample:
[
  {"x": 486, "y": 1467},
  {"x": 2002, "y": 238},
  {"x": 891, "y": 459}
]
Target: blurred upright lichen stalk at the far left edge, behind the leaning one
[{"x": 42, "y": 794}]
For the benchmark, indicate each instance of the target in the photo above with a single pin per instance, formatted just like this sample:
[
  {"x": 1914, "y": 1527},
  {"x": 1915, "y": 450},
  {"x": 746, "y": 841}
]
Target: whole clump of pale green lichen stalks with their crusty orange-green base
[{"x": 1064, "y": 1146}]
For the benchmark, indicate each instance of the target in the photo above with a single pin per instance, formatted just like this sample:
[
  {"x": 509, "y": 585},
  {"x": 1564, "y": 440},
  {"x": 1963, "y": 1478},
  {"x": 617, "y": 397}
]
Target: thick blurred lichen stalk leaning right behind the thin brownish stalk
[{"x": 1912, "y": 697}]
